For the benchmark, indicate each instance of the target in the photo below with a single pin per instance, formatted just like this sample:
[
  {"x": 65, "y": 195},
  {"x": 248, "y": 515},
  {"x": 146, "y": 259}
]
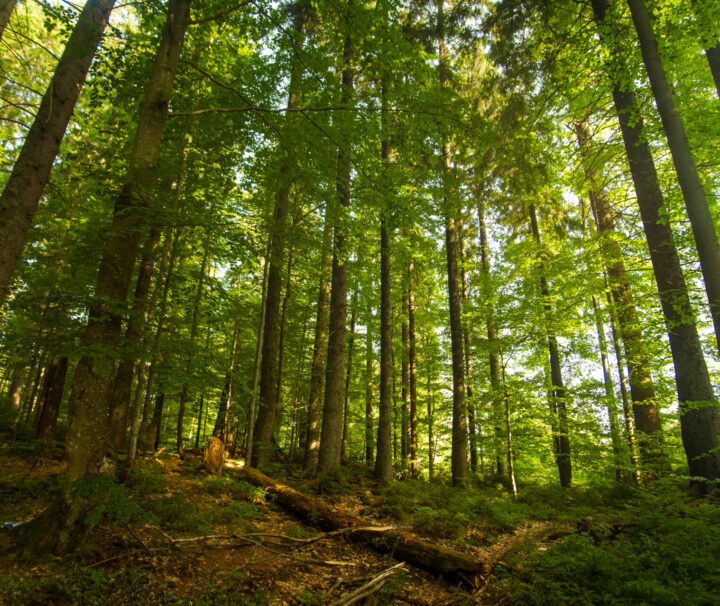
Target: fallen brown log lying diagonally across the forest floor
[{"x": 452, "y": 564}]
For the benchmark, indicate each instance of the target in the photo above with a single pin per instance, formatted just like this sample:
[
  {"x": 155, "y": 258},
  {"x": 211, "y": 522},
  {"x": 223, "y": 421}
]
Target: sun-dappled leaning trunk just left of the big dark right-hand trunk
[{"x": 642, "y": 390}]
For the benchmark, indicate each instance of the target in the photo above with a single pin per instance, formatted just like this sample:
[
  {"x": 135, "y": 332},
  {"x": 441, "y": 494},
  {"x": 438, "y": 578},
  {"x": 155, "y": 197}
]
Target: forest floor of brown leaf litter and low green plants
[{"x": 176, "y": 535}]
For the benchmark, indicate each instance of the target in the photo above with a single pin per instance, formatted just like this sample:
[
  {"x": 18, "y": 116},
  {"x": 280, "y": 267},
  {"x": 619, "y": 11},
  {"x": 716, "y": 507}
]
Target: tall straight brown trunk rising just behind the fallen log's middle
[{"x": 331, "y": 431}]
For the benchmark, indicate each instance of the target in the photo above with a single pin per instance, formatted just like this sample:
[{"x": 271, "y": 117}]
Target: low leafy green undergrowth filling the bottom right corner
[{"x": 669, "y": 556}]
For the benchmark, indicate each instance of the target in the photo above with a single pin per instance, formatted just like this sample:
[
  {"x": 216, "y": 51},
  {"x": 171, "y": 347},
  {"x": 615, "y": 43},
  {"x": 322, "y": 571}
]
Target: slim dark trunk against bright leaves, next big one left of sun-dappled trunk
[{"x": 557, "y": 395}]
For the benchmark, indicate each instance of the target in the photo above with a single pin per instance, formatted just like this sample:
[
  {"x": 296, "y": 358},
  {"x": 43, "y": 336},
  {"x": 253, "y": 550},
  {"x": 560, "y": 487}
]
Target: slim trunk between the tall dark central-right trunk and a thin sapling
[{"x": 493, "y": 346}]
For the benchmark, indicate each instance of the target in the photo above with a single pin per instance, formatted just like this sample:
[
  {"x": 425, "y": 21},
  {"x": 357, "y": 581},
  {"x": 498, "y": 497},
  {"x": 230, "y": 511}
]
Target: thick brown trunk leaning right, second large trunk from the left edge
[{"x": 89, "y": 405}]
